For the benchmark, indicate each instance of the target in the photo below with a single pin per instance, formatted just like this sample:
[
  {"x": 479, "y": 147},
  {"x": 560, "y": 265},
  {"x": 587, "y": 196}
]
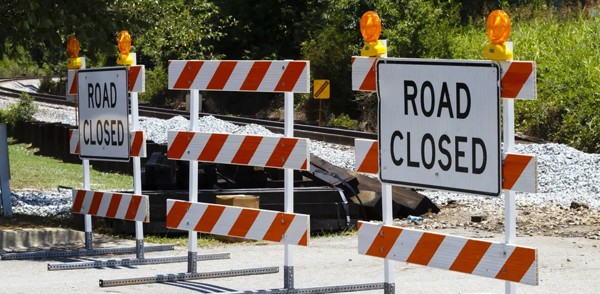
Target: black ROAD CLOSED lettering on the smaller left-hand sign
[{"x": 107, "y": 132}]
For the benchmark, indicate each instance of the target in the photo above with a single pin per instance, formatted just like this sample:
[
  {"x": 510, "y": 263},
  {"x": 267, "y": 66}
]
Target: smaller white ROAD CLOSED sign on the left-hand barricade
[{"x": 103, "y": 114}]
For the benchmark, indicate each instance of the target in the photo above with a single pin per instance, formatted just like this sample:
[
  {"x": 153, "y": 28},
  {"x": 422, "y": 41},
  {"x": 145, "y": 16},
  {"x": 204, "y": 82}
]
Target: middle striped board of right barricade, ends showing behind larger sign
[{"x": 519, "y": 171}]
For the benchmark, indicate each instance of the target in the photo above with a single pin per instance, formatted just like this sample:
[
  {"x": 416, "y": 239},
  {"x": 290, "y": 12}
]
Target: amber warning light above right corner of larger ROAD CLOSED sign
[{"x": 498, "y": 30}]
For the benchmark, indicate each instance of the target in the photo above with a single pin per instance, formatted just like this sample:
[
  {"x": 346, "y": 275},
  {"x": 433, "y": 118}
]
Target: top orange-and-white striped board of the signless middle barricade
[{"x": 242, "y": 75}]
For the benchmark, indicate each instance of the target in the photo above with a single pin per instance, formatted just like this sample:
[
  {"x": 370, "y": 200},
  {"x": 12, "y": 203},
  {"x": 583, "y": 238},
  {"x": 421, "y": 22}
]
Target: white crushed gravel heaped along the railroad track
[{"x": 564, "y": 174}]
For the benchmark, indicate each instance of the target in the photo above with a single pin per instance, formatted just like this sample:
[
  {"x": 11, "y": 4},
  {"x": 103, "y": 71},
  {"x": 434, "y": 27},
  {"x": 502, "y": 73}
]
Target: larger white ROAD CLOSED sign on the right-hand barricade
[{"x": 439, "y": 124}]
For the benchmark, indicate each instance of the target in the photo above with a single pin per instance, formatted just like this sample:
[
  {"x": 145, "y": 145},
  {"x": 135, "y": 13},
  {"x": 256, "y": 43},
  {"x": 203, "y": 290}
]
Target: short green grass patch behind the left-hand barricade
[{"x": 29, "y": 171}]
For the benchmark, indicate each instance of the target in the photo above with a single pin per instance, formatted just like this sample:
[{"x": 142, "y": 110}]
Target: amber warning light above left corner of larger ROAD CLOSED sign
[{"x": 370, "y": 28}]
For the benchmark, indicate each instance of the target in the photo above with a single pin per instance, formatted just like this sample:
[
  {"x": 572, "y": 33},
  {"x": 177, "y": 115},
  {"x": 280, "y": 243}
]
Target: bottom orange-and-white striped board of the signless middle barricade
[{"x": 249, "y": 223}]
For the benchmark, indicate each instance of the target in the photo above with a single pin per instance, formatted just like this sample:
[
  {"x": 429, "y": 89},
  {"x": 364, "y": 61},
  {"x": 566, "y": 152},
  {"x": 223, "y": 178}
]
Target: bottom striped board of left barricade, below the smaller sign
[{"x": 112, "y": 205}]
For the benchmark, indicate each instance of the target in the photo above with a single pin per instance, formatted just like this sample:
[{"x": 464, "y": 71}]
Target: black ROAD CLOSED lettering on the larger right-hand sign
[{"x": 426, "y": 150}]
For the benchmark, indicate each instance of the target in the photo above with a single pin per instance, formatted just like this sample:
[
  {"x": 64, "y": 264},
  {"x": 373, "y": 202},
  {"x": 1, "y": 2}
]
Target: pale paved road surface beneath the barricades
[{"x": 566, "y": 265}]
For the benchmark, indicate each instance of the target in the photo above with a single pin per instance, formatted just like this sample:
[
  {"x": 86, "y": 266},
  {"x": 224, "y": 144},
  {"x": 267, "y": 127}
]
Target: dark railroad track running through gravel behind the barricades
[{"x": 326, "y": 134}]
